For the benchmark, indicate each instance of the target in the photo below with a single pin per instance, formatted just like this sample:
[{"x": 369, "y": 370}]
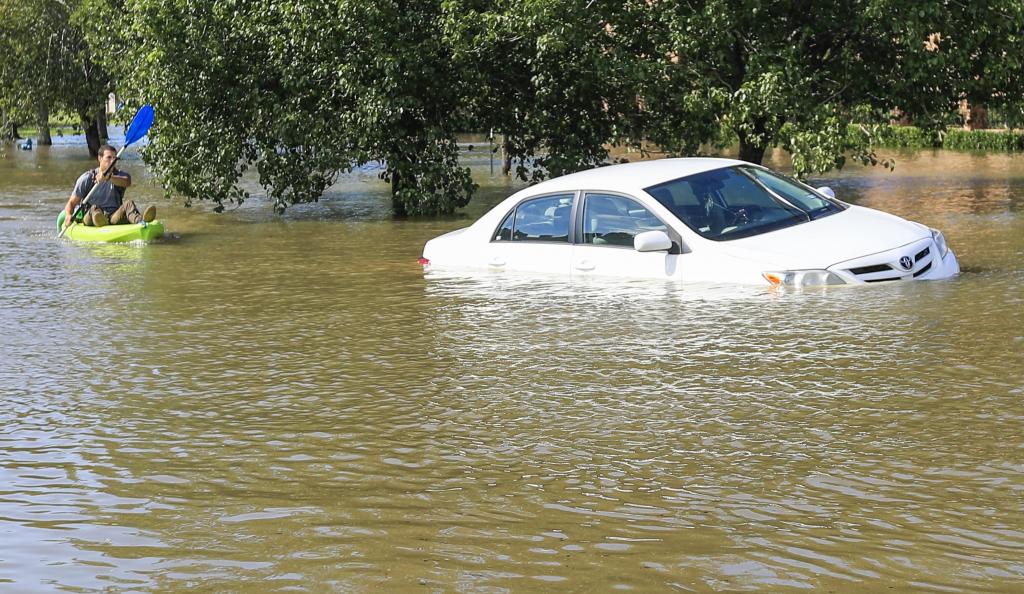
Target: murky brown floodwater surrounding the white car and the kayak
[{"x": 265, "y": 404}]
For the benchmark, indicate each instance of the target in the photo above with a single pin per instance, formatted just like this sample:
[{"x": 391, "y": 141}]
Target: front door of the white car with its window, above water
[{"x": 608, "y": 224}]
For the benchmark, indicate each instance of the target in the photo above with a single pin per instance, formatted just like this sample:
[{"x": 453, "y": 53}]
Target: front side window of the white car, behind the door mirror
[{"x": 610, "y": 220}]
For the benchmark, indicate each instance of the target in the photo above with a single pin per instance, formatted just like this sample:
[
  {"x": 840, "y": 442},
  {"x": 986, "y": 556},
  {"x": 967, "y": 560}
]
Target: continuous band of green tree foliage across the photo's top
[{"x": 298, "y": 92}]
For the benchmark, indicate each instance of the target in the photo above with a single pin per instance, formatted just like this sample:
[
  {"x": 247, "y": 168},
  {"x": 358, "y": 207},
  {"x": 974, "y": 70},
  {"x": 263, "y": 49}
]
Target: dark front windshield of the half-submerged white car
[{"x": 740, "y": 202}]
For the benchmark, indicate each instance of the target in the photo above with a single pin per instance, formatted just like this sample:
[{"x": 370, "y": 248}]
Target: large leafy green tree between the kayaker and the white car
[{"x": 298, "y": 92}]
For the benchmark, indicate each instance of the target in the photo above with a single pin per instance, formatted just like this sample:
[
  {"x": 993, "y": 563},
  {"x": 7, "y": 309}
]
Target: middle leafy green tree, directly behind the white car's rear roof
[{"x": 551, "y": 76}]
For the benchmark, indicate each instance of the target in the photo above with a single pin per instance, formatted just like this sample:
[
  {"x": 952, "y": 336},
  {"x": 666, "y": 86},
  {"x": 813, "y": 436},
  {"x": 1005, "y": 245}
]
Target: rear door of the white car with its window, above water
[{"x": 535, "y": 237}]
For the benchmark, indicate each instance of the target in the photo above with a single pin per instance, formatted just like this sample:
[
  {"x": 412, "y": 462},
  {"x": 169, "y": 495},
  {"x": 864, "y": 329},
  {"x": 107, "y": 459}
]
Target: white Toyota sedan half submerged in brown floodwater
[{"x": 695, "y": 221}]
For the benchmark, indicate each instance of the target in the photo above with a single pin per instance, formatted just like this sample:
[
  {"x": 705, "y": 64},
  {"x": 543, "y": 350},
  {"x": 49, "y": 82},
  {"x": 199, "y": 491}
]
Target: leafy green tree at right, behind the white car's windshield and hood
[{"x": 796, "y": 73}]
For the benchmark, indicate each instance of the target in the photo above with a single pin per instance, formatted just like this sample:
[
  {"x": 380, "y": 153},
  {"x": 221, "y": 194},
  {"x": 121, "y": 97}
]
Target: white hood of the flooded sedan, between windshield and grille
[{"x": 856, "y": 233}]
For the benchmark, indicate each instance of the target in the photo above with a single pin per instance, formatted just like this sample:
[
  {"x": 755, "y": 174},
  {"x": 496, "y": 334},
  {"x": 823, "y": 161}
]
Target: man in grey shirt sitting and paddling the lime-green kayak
[{"x": 107, "y": 206}]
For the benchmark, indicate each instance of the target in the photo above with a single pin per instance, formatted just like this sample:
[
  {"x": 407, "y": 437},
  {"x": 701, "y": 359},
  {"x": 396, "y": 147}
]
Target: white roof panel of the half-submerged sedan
[{"x": 631, "y": 177}]
